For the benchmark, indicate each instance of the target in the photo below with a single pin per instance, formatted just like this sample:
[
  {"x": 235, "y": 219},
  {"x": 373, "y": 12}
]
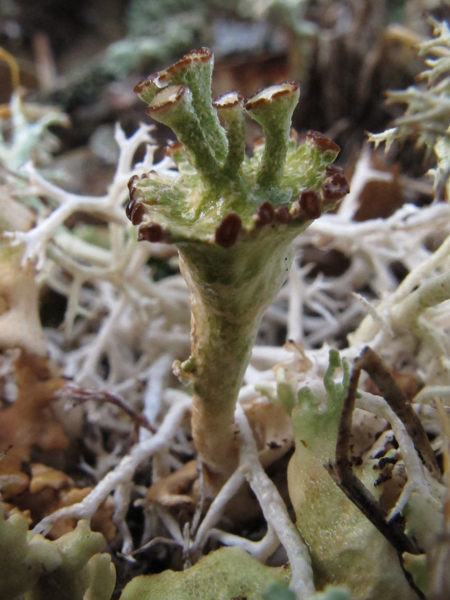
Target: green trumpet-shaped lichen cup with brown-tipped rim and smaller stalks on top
[{"x": 232, "y": 218}]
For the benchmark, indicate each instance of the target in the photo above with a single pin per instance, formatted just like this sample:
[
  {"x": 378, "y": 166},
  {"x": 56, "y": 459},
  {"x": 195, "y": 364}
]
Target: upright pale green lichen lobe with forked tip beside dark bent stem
[{"x": 346, "y": 549}]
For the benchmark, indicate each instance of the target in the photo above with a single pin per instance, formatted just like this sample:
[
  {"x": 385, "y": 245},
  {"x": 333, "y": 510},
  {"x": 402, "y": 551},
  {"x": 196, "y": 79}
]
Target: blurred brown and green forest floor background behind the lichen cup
[{"x": 86, "y": 56}]
